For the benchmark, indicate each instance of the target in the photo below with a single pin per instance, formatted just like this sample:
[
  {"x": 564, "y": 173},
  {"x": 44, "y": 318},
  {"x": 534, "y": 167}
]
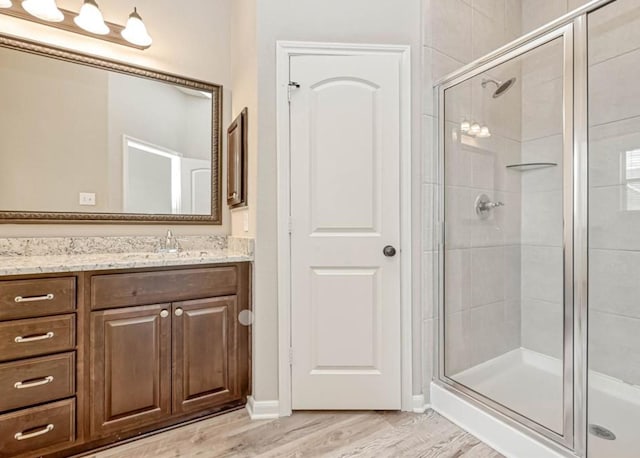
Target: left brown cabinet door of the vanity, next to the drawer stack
[{"x": 131, "y": 368}]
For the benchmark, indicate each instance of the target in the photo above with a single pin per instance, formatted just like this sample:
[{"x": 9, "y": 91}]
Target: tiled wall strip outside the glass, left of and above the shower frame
[{"x": 455, "y": 32}]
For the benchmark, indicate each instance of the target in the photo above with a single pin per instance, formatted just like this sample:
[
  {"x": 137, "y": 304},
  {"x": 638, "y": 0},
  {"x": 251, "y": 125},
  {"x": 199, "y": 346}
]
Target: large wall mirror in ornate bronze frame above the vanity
[{"x": 85, "y": 139}]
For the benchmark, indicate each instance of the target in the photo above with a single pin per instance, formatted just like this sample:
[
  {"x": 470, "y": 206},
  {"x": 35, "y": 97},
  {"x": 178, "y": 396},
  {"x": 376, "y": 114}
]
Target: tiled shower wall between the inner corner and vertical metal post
[{"x": 542, "y": 200}]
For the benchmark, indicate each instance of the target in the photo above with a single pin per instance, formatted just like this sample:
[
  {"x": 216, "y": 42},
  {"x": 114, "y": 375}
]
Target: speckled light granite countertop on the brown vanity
[{"x": 76, "y": 260}]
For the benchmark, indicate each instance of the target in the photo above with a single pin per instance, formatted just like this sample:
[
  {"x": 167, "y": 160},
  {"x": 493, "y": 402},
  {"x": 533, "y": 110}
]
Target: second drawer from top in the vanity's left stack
[{"x": 37, "y": 336}]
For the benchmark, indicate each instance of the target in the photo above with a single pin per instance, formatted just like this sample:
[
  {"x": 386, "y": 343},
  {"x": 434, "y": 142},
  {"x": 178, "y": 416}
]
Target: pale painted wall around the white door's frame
[{"x": 354, "y": 21}]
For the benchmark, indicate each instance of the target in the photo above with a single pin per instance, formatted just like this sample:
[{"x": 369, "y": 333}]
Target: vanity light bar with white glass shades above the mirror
[{"x": 88, "y": 21}]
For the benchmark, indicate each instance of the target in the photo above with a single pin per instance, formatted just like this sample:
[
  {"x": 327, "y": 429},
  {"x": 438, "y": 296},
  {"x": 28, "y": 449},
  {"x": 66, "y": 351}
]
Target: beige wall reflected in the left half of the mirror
[{"x": 34, "y": 156}]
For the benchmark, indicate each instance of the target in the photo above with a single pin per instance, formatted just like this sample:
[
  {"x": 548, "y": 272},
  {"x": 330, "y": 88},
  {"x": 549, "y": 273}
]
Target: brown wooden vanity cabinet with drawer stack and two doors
[{"x": 93, "y": 357}]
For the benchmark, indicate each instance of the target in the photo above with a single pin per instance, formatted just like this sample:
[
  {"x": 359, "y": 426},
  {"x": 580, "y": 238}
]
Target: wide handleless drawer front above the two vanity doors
[{"x": 145, "y": 288}]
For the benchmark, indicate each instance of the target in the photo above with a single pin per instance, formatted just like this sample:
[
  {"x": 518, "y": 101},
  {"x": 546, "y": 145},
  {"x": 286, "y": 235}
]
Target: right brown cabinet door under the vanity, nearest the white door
[{"x": 205, "y": 353}]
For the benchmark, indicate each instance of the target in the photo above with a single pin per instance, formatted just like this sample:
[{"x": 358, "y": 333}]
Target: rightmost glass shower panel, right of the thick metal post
[{"x": 614, "y": 231}]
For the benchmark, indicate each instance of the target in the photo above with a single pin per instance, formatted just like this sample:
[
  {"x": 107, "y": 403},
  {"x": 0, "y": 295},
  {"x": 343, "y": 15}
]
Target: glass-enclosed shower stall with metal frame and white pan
[{"x": 539, "y": 216}]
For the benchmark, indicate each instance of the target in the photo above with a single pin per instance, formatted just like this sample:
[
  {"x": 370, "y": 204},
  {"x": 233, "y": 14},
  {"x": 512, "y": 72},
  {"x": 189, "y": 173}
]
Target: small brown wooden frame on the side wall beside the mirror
[{"x": 237, "y": 155}]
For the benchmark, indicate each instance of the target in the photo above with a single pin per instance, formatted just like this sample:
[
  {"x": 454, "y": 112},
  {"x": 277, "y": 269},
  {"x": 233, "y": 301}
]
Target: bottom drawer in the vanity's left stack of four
[{"x": 30, "y": 430}]
